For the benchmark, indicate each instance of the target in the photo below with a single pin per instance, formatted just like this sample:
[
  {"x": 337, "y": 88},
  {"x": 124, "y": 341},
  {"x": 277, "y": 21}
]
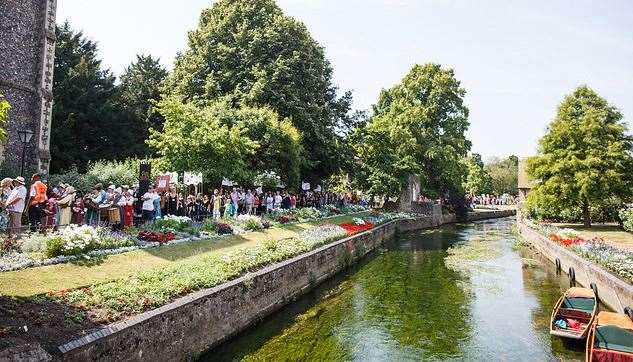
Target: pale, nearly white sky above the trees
[{"x": 516, "y": 59}]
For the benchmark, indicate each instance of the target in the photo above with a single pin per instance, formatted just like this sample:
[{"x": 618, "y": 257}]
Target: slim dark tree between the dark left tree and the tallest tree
[{"x": 140, "y": 86}]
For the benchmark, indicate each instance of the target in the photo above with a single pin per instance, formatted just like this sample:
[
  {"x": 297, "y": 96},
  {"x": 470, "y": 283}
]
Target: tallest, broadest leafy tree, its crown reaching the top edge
[{"x": 250, "y": 52}]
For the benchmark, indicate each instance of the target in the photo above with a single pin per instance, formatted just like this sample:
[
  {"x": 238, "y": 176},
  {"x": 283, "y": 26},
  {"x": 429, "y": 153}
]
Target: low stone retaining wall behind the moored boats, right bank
[{"x": 614, "y": 292}]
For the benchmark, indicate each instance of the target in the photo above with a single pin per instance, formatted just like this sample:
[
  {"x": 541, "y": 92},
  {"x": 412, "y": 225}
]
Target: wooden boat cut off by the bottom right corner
[{"x": 610, "y": 338}]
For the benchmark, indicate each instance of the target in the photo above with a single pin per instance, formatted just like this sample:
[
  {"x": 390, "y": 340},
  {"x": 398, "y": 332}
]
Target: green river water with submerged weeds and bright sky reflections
[{"x": 460, "y": 292}]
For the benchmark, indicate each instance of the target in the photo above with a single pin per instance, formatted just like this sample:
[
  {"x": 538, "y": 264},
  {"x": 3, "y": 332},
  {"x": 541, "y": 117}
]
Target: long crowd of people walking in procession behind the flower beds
[{"x": 52, "y": 206}]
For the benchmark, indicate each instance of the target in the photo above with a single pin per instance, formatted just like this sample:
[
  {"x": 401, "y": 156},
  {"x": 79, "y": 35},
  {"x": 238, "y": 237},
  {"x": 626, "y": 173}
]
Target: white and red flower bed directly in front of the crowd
[{"x": 76, "y": 242}]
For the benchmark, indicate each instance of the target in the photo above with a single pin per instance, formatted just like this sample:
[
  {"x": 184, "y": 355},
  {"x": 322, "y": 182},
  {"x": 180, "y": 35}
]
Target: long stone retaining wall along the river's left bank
[{"x": 192, "y": 324}]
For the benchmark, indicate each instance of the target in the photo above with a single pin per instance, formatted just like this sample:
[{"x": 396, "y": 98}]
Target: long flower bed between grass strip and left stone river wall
[{"x": 151, "y": 289}]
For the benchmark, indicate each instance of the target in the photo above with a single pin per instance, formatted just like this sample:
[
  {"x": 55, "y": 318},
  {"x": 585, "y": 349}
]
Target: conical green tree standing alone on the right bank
[{"x": 584, "y": 159}]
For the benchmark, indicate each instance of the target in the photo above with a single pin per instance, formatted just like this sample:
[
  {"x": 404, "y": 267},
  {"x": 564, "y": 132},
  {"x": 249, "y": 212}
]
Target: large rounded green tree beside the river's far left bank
[{"x": 418, "y": 127}]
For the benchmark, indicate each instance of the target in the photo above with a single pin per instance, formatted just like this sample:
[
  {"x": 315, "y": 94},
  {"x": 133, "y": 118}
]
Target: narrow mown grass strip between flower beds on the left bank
[{"x": 33, "y": 281}]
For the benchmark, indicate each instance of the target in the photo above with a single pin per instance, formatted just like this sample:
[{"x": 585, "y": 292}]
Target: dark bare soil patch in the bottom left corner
[{"x": 42, "y": 320}]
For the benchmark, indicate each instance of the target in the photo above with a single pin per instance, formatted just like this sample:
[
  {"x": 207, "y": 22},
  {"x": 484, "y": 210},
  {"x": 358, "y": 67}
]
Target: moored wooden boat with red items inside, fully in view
[{"x": 574, "y": 313}]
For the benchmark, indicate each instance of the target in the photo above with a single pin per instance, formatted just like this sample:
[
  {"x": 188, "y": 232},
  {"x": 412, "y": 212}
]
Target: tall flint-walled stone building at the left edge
[{"x": 27, "y": 55}]
